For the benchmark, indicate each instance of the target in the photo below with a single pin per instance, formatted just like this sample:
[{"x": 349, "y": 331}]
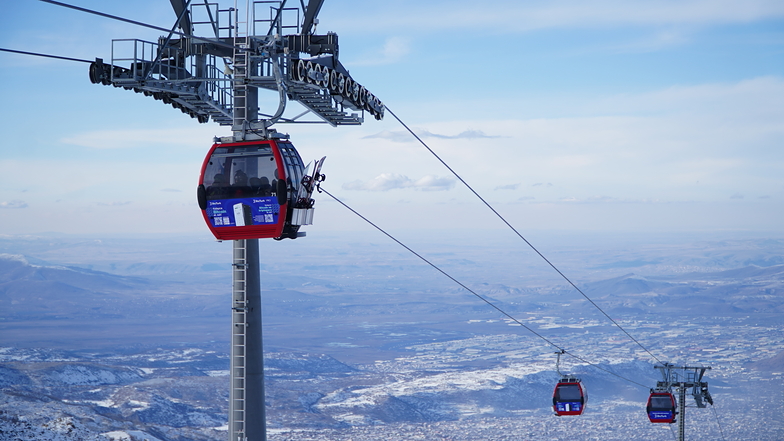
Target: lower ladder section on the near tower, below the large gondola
[{"x": 237, "y": 393}]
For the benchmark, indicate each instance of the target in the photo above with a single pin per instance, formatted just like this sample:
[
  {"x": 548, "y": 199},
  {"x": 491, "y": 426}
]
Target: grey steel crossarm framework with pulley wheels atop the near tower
[{"x": 269, "y": 46}]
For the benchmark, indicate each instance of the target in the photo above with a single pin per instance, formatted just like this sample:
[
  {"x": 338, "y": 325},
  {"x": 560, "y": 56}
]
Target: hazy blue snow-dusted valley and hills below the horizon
[{"x": 133, "y": 349}]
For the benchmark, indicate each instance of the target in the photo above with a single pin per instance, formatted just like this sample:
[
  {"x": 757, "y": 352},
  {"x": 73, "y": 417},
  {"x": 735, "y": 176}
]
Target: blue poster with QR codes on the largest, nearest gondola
[{"x": 241, "y": 212}]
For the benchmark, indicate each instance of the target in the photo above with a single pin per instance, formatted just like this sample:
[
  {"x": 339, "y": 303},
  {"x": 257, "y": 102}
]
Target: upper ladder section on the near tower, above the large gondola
[{"x": 240, "y": 62}]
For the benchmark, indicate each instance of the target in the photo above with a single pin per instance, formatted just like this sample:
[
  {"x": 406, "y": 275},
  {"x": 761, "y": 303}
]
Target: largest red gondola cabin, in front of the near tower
[{"x": 245, "y": 189}]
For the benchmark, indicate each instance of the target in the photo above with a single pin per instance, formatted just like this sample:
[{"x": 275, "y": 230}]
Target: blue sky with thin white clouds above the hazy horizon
[{"x": 607, "y": 115}]
